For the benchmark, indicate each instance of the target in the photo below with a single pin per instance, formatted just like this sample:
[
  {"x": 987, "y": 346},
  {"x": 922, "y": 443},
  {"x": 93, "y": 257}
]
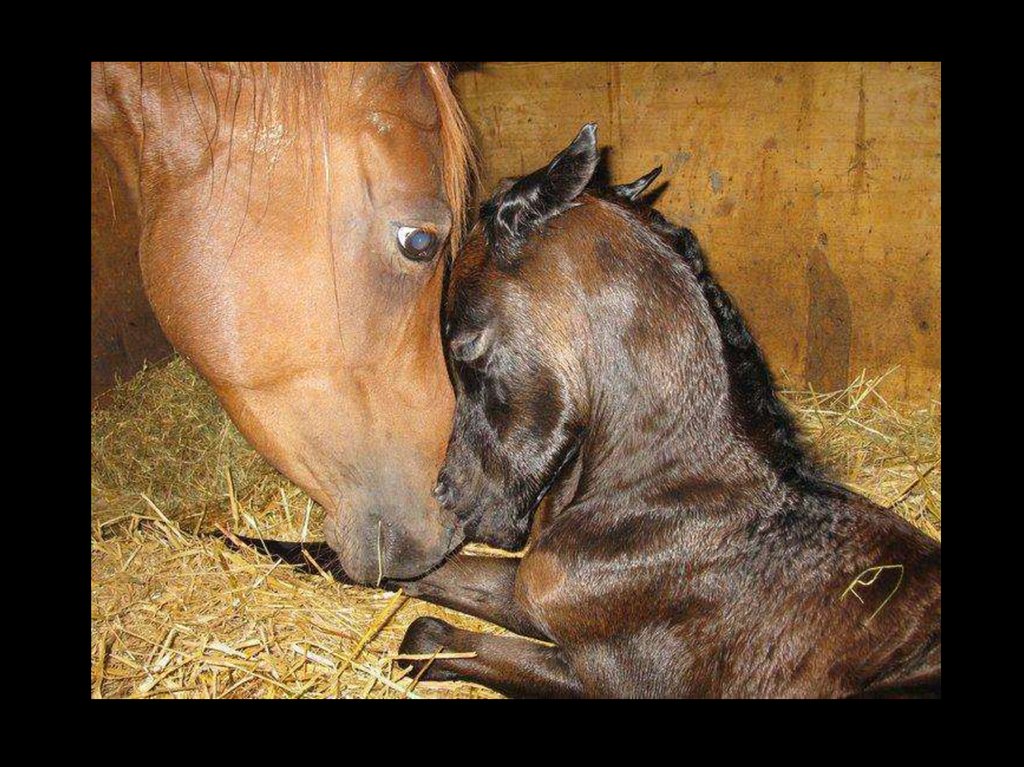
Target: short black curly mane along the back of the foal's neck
[{"x": 762, "y": 415}]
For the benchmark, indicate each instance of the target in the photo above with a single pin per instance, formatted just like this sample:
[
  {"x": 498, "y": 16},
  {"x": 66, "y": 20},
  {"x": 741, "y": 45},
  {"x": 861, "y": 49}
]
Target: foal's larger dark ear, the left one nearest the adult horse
[{"x": 530, "y": 202}]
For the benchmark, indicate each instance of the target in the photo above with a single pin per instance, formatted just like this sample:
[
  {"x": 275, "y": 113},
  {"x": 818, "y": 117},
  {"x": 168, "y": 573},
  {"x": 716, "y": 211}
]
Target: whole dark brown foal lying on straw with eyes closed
[{"x": 690, "y": 548}]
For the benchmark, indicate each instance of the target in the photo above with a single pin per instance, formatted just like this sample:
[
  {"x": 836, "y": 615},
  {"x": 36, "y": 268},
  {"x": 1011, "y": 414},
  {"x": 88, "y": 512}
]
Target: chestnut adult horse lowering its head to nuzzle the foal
[{"x": 287, "y": 224}]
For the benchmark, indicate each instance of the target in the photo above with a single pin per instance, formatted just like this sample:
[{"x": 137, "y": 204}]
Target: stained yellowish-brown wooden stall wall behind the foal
[{"x": 816, "y": 190}]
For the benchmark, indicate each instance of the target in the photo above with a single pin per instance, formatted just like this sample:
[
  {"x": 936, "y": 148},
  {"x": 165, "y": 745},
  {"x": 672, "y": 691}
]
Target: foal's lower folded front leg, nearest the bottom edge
[{"x": 514, "y": 666}]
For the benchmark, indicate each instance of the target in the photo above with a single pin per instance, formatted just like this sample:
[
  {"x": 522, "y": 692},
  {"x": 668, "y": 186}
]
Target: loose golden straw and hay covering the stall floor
[{"x": 180, "y": 615}]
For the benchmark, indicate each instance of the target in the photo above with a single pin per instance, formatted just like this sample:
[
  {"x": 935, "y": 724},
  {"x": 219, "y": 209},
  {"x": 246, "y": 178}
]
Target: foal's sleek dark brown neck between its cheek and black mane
[{"x": 662, "y": 410}]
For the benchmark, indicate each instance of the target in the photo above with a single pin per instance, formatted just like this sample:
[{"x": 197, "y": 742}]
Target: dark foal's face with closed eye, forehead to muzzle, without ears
[{"x": 519, "y": 392}]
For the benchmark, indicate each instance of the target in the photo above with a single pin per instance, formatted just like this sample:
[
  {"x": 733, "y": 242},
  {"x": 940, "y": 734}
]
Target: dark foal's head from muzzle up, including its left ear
[{"x": 515, "y": 332}]
